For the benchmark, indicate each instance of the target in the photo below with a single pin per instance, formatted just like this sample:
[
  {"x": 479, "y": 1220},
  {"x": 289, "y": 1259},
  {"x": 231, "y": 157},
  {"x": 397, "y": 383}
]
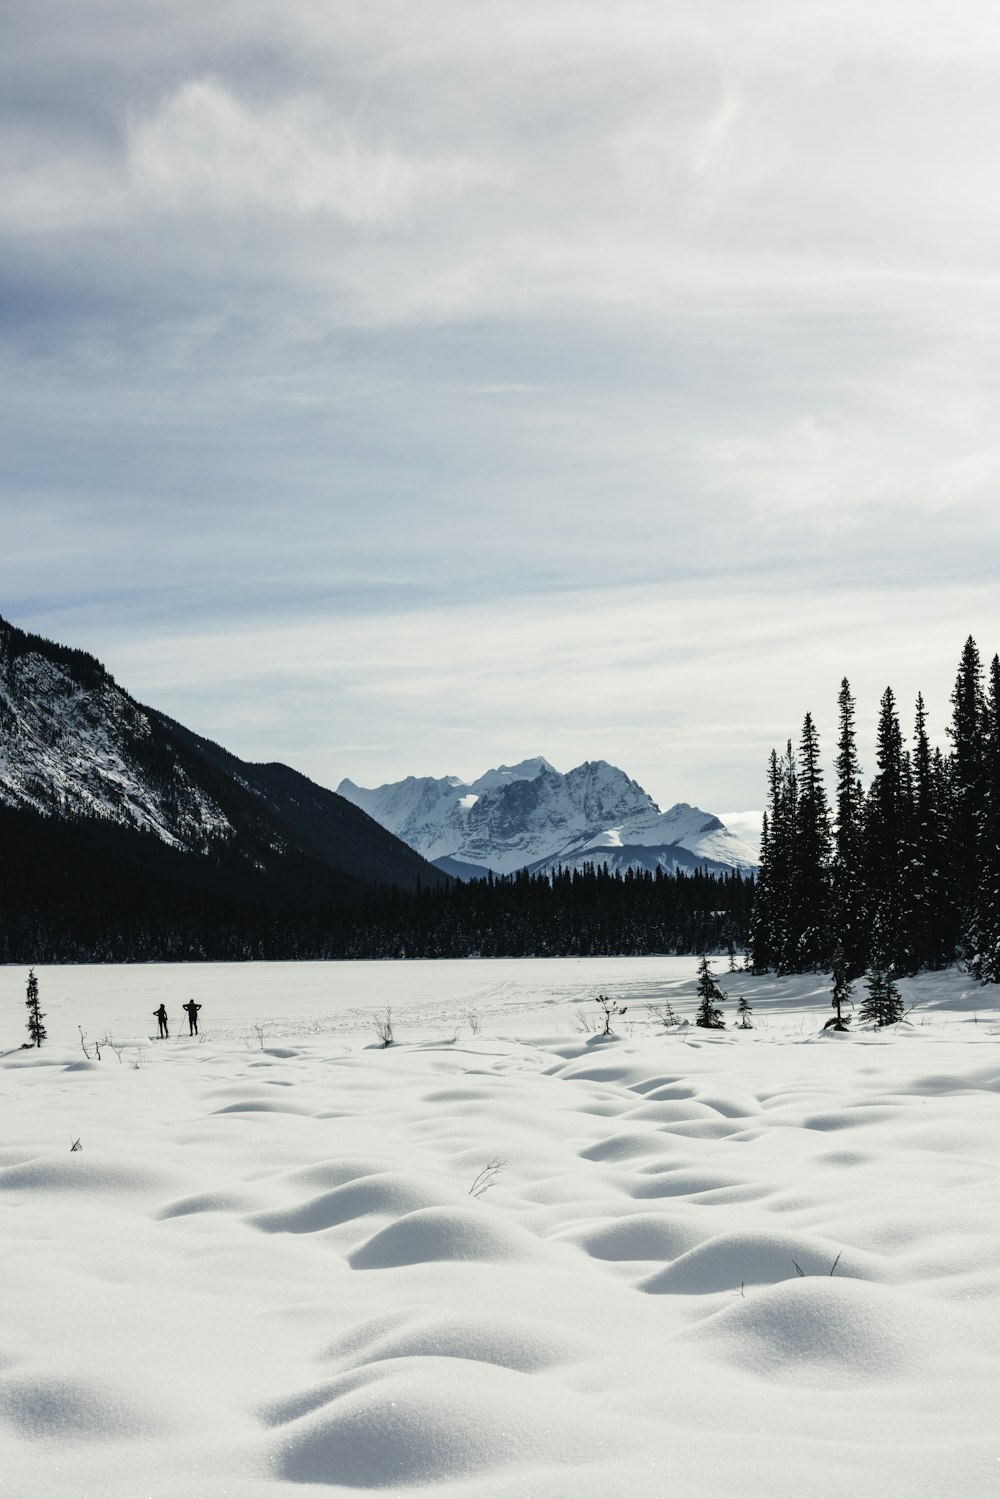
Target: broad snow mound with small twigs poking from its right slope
[{"x": 761, "y": 1257}]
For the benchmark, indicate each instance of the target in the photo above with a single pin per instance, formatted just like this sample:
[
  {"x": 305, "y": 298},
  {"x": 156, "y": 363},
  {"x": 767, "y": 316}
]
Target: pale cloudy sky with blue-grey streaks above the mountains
[{"x": 398, "y": 387}]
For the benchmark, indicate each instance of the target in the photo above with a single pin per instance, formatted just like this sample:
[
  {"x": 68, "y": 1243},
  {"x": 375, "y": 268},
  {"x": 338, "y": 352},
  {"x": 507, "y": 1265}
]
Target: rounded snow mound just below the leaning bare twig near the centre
[{"x": 440, "y": 1233}]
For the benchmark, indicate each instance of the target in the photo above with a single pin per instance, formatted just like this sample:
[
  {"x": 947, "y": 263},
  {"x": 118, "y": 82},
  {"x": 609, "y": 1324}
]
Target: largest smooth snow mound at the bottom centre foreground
[{"x": 434, "y": 1422}]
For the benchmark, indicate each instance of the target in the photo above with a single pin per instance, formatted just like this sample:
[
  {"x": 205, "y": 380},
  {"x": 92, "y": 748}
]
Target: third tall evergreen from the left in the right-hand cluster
[{"x": 810, "y": 936}]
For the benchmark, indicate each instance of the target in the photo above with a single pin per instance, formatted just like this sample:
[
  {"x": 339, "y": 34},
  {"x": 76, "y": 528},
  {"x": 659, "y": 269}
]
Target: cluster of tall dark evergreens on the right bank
[{"x": 899, "y": 876}]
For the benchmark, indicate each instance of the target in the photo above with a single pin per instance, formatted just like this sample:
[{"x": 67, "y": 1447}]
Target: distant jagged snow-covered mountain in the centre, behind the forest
[{"x": 530, "y": 816}]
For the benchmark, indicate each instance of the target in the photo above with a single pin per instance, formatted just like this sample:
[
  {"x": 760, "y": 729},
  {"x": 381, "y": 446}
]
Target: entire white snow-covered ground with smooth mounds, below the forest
[{"x": 752, "y": 1264}]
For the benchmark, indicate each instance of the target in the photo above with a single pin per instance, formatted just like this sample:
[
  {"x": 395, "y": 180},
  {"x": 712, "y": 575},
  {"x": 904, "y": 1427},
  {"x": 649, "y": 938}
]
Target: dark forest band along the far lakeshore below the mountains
[{"x": 91, "y": 891}]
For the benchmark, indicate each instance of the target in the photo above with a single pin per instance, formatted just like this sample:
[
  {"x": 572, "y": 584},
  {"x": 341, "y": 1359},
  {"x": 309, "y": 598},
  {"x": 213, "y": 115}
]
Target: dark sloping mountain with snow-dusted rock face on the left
[{"x": 77, "y": 749}]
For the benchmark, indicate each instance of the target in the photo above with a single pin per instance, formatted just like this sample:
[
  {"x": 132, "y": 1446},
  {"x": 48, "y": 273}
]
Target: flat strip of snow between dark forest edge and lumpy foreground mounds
[{"x": 428, "y": 999}]
